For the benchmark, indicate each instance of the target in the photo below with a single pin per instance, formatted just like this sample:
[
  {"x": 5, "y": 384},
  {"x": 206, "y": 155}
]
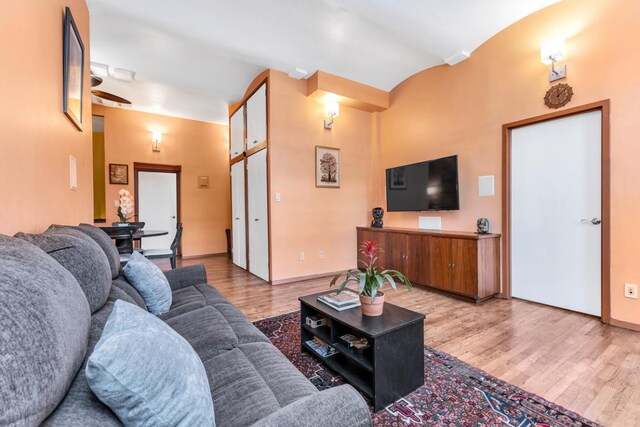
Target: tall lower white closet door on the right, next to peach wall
[{"x": 258, "y": 221}]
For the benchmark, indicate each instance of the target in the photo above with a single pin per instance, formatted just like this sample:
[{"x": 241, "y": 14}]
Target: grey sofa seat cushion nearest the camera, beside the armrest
[{"x": 256, "y": 373}]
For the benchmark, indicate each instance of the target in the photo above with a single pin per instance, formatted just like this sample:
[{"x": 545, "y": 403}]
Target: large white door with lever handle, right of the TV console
[{"x": 555, "y": 212}]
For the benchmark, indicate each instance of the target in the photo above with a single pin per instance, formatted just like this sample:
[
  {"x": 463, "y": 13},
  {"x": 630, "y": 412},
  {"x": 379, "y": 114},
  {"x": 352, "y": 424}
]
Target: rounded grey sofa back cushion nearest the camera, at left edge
[{"x": 44, "y": 329}]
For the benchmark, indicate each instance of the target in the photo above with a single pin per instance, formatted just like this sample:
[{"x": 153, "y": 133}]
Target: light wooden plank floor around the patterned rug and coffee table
[{"x": 565, "y": 357}]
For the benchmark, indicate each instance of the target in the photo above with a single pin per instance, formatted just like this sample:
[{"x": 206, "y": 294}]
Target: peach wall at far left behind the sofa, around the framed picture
[{"x": 36, "y": 138}]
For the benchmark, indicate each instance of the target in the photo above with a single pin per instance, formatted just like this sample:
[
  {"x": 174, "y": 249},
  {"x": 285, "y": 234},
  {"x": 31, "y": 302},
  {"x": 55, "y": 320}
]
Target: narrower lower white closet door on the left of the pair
[{"x": 238, "y": 214}]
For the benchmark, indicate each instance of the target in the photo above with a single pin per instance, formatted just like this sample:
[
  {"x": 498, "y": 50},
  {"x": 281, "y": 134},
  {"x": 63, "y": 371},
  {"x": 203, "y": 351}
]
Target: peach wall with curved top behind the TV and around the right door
[{"x": 460, "y": 110}]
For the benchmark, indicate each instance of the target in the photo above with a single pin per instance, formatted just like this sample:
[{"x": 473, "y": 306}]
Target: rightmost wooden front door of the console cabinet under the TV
[{"x": 464, "y": 258}]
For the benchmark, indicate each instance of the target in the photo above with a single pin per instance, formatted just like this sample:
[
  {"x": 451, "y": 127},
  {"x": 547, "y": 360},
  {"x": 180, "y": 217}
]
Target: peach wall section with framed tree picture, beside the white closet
[{"x": 310, "y": 219}]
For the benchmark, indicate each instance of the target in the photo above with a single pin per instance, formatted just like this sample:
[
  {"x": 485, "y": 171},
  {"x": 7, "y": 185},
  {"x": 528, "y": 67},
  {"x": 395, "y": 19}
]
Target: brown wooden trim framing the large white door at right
[{"x": 604, "y": 108}]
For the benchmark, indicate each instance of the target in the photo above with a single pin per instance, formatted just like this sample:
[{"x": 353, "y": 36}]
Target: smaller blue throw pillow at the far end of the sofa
[{"x": 150, "y": 282}]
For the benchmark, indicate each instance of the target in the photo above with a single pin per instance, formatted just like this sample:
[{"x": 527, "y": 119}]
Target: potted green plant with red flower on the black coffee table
[{"x": 370, "y": 280}]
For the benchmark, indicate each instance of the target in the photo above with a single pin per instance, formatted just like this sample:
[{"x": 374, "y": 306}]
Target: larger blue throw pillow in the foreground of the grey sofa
[{"x": 147, "y": 373}]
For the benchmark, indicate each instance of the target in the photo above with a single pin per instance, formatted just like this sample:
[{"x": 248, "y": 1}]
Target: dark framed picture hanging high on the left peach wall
[{"x": 72, "y": 71}]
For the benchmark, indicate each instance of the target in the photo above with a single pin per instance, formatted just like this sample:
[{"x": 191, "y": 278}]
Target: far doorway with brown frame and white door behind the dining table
[{"x": 157, "y": 201}]
